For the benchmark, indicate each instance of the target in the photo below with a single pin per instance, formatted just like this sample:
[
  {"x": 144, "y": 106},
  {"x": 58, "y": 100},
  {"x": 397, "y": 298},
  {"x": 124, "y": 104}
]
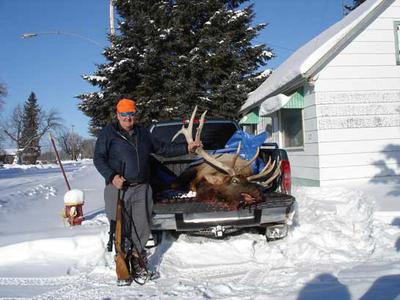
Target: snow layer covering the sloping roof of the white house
[{"x": 299, "y": 64}]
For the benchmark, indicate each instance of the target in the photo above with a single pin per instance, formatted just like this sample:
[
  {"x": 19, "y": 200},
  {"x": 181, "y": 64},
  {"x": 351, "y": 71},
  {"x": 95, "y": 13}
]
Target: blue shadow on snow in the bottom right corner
[{"x": 385, "y": 287}]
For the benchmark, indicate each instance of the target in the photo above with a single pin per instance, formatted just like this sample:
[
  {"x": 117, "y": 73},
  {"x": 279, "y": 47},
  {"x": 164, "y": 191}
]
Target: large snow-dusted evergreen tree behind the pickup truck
[{"x": 172, "y": 55}]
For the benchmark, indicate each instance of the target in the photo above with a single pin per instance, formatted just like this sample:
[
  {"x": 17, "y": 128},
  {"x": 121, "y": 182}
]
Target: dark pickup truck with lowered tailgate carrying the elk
[{"x": 182, "y": 212}]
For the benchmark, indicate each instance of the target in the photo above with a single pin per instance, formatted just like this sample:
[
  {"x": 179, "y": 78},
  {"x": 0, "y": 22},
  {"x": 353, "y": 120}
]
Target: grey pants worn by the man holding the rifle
[{"x": 138, "y": 207}]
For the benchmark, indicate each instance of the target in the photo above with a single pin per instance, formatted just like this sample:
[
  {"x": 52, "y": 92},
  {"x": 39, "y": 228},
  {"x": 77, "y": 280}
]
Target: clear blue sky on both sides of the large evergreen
[{"x": 51, "y": 65}]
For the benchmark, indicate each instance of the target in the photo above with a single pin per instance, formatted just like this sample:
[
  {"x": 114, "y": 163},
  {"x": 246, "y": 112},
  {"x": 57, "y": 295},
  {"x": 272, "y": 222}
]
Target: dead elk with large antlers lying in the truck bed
[{"x": 226, "y": 180}]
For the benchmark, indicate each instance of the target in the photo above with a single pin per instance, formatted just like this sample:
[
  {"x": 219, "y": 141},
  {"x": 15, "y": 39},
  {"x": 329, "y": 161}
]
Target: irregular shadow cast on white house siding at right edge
[{"x": 387, "y": 174}]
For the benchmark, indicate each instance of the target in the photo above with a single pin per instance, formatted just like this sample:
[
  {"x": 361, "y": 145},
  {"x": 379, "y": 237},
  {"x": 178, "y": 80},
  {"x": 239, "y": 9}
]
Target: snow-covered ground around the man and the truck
[{"x": 346, "y": 246}]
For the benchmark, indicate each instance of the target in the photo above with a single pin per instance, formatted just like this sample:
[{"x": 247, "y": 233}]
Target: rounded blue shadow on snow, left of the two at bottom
[{"x": 325, "y": 286}]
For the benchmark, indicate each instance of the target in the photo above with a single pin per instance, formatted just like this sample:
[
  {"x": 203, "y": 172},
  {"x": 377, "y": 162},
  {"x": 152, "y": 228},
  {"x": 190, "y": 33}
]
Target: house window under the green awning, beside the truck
[{"x": 292, "y": 127}]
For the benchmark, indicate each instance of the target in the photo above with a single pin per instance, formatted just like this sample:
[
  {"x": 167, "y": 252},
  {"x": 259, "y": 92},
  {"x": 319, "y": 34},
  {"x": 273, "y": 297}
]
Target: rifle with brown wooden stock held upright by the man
[{"x": 121, "y": 266}]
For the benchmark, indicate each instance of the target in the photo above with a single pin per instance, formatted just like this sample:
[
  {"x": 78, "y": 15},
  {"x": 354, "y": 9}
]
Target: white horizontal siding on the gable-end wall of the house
[{"x": 357, "y": 98}]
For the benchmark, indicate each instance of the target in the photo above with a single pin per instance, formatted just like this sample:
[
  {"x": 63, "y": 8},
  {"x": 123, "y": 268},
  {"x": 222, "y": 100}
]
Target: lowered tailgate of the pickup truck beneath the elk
[{"x": 192, "y": 215}]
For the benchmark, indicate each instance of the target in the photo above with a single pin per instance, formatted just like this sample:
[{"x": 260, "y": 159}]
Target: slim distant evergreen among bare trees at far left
[{"x": 30, "y": 135}]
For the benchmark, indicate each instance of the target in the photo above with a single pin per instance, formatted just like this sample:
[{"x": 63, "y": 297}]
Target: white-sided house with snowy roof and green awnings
[{"x": 335, "y": 103}]
